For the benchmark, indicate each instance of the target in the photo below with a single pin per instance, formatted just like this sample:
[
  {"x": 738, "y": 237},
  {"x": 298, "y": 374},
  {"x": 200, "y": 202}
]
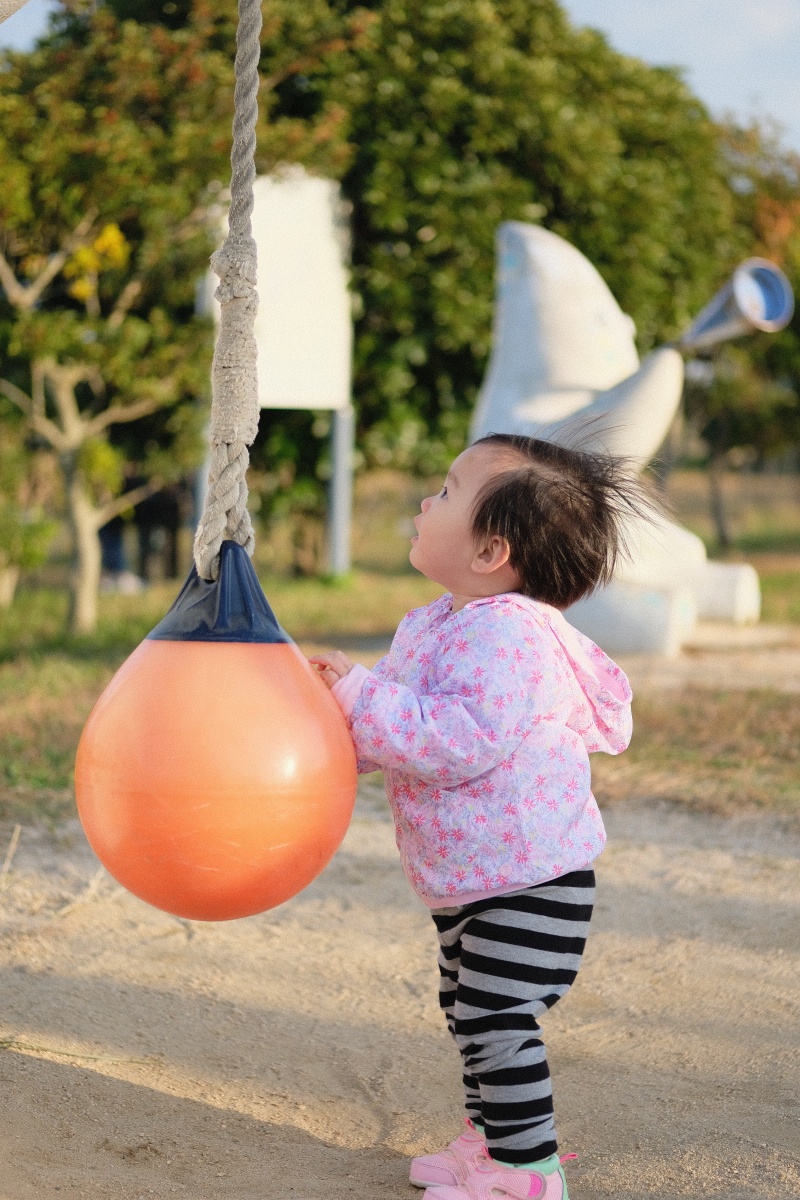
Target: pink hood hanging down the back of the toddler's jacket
[{"x": 603, "y": 711}]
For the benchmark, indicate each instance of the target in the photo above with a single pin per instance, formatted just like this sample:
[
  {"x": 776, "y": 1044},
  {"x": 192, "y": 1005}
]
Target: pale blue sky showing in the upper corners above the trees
[{"x": 742, "y": 57}]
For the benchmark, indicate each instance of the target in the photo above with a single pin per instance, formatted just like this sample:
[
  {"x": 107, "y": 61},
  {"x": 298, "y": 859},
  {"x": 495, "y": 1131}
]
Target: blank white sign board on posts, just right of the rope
[{"x": 304, "y": 327}]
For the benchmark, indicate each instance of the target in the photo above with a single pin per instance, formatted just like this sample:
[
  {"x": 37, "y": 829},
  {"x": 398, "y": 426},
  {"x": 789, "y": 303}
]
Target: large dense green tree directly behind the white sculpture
[{"x": 467, "y": 113}]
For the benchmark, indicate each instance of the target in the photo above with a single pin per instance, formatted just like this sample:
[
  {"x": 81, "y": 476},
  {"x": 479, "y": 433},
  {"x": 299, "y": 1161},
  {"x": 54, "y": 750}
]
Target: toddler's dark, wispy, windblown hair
[{"x": 563, "y": 514}]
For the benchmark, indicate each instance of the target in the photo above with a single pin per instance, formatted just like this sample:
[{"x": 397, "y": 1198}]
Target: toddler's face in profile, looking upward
[{"x": 444, "y": 549}]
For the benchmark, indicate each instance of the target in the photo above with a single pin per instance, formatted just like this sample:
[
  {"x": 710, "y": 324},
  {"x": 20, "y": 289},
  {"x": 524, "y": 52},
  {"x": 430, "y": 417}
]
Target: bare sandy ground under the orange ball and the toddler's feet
[{"x": 302, "y": 1054}]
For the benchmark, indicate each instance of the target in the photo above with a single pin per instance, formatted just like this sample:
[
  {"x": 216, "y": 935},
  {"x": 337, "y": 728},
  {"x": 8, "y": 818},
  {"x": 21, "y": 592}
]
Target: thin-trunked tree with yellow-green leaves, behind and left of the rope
[{"x": 115, "y": 140}]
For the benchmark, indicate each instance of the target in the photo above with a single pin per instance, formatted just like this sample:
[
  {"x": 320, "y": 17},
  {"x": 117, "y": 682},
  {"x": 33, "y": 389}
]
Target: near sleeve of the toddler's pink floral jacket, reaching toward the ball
[{"x": 477, "y": 710}]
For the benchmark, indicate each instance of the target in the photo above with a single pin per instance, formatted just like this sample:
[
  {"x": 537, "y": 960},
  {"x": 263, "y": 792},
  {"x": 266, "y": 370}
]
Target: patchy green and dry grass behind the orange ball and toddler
[{"x": 719, "y": 752}]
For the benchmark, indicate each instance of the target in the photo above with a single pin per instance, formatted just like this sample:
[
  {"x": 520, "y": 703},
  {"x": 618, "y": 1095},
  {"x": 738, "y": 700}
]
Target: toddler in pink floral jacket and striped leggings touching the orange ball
[{"x": 483, "y": 718}]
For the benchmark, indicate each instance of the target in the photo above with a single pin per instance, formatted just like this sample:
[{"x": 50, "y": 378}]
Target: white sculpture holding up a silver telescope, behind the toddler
[{"x": 564, "y": 368}]
